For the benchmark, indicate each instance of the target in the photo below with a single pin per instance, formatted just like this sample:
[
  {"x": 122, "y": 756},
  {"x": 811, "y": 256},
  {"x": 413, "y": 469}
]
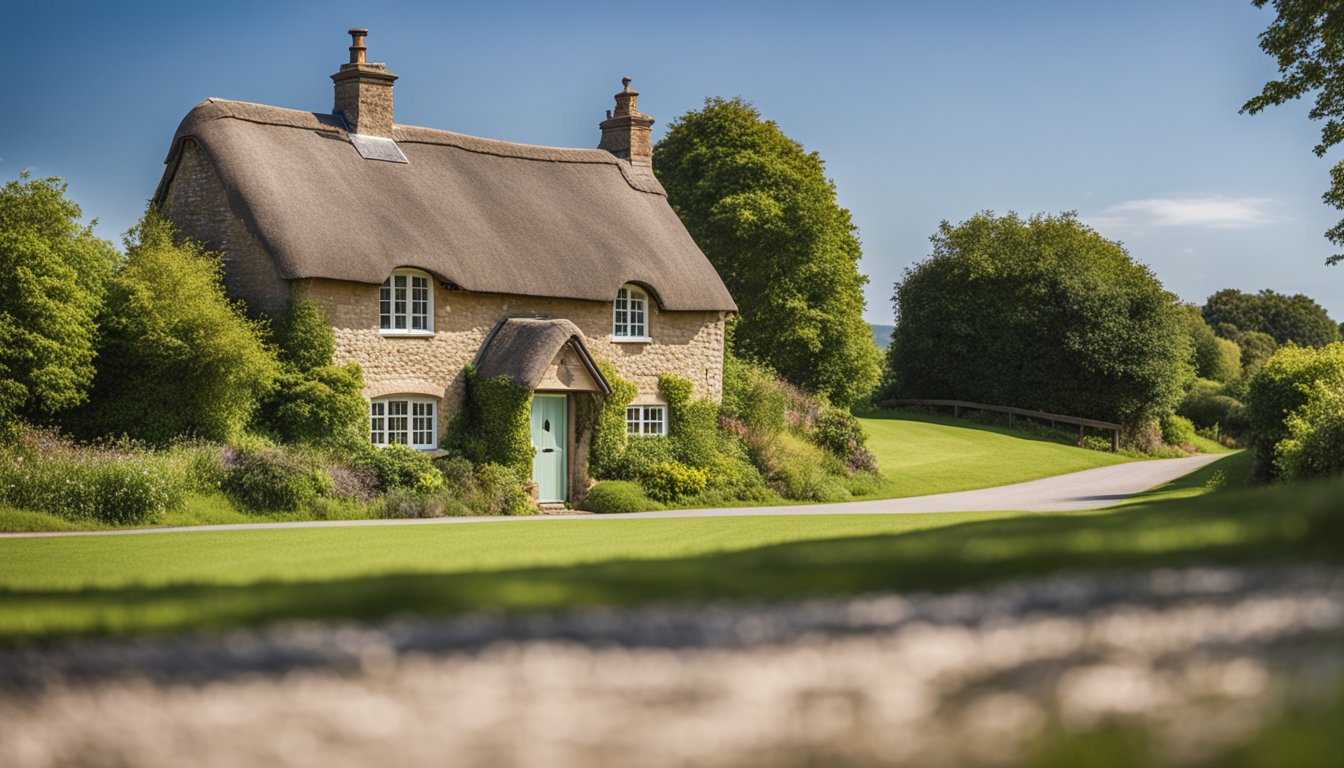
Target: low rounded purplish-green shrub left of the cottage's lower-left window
[{"x": 275, "y": 481}]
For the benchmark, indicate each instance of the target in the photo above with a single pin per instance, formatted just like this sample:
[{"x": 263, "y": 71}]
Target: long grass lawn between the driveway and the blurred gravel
[{"x": 210, "y": 580}]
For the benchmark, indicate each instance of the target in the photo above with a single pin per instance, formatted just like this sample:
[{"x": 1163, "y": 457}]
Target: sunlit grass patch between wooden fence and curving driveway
[{"x": 921, "y": 454}]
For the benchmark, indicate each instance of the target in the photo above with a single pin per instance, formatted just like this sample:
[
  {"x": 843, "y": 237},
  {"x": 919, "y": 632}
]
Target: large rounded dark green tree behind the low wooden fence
[{"x": 1041, "y": 314}]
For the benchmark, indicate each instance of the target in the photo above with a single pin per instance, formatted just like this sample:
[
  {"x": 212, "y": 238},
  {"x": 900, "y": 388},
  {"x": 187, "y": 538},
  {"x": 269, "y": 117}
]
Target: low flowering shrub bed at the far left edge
[{"x": 119, "y": 485}]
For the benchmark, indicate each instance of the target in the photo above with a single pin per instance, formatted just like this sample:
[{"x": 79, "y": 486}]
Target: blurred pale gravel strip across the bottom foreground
[{"x": 1197, "y": 661}]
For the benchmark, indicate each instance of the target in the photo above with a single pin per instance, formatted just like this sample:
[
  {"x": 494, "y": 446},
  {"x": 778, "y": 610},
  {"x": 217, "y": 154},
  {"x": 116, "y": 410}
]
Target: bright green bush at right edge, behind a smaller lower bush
[{"x": 1280, "y": 388}]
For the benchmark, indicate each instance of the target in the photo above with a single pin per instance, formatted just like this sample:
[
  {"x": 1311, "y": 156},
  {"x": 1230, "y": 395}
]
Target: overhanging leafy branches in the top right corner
[{"x": 1307, "y": 40}]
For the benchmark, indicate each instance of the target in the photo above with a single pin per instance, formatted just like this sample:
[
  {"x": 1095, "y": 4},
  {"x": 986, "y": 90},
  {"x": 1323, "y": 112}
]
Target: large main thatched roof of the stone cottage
[{"x": 486, "y": 216}]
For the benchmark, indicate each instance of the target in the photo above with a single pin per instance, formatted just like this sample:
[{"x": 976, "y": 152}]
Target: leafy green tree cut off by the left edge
[{"x": 53, "y": 272}]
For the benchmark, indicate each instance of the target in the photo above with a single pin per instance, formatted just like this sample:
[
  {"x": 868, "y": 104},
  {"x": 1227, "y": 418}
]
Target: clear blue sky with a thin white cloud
[{"x": 1124, "y": 112}]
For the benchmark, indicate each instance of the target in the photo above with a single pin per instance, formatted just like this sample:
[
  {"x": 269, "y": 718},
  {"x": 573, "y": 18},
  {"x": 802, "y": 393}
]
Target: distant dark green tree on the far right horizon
[{"x": 1296, "y": 319}]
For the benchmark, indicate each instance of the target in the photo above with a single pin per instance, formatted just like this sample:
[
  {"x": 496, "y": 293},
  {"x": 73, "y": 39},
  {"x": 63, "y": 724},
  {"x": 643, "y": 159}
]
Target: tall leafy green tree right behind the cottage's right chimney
[{"x": 767, "y": 216}]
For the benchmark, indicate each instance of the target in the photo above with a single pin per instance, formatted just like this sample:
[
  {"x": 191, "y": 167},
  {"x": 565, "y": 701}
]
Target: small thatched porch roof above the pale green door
[{"x": 522, "y": 349}]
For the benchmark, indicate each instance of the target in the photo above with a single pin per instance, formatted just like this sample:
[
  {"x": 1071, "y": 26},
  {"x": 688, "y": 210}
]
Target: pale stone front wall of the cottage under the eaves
[{"x": 685, "y": 344}]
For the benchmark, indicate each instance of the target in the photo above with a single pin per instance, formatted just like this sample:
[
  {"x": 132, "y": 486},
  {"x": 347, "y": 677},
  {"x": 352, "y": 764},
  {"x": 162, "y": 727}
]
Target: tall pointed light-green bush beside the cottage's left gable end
[{"x": 177, "y": 357}]
